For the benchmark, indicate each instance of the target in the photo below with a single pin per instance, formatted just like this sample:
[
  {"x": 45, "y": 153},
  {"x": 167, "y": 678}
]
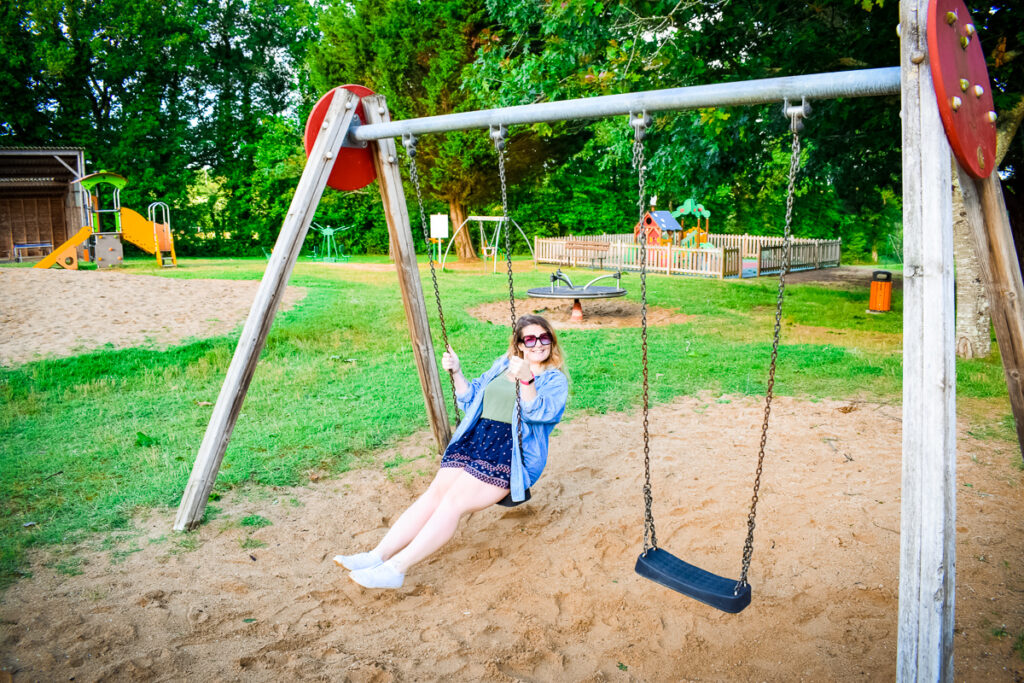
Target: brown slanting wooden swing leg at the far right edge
[{"x": 987, "y": 214}]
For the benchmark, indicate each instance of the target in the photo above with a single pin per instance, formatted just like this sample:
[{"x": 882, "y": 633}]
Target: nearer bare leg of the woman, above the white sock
[{"x": 467, "y": 495}]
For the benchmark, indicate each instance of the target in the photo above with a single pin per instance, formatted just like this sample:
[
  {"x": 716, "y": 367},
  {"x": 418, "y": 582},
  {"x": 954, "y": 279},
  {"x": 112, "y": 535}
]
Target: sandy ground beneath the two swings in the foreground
[{"x": 546, "y": 591}]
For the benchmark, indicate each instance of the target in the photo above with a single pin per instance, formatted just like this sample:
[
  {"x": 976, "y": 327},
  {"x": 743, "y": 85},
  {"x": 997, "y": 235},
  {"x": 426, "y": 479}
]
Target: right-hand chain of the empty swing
[{"x": 796, "y": 115}]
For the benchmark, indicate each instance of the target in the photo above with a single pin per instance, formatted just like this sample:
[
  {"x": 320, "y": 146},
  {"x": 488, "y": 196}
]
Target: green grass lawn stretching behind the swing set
[{"x": 89, "y": 442}]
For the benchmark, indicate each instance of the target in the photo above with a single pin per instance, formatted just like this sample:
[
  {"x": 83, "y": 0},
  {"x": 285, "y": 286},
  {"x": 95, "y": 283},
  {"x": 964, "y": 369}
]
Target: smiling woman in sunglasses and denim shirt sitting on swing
[{"x": 485, "y": 463}]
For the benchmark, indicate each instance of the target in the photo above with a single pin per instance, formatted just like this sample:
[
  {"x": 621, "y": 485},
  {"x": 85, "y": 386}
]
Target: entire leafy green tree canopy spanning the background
[{"x": 201, "y": 104}]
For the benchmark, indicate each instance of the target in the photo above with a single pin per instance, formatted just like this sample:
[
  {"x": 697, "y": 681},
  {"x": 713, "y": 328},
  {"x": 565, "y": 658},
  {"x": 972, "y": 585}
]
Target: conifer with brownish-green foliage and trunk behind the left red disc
[{"x": 416, "y": 55}]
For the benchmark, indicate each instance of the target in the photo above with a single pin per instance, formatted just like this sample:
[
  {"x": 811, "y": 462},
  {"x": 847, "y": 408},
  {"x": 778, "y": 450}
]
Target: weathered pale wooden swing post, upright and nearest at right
[{"x": 925, "y": 649}]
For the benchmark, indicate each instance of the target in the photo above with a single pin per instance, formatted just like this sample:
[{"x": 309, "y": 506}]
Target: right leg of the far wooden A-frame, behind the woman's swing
[{"x": 400, "y": 230}]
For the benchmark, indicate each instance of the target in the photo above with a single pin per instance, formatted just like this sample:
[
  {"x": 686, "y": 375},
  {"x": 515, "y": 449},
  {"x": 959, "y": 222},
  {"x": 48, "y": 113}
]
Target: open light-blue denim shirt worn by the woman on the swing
[{"x": 539, "y": 418}]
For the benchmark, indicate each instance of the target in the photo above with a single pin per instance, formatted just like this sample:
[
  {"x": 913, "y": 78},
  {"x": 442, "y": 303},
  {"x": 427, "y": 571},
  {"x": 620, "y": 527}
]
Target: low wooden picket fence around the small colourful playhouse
[{"x": 726, "y": 261}]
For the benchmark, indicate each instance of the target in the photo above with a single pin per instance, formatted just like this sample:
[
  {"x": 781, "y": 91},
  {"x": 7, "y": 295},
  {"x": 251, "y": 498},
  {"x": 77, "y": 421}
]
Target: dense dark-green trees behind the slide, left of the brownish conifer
[{"x": 174, "y": 96}]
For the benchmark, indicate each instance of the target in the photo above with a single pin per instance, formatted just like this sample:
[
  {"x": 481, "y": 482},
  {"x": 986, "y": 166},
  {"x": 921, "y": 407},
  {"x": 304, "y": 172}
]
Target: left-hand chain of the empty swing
[{"x": 641, "y": 123}]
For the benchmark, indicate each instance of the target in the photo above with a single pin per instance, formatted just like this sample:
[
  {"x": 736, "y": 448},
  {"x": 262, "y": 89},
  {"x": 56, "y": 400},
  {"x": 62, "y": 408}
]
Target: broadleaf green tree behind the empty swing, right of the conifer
[{"x": 544, "y": 52}]
